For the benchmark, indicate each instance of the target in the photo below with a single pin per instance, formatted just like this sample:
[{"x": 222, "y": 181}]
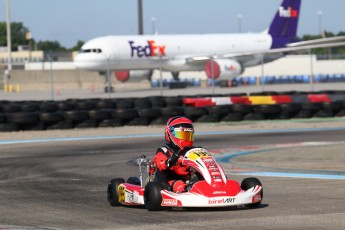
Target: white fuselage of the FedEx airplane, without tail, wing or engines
[{"x": 169, "y": 52}]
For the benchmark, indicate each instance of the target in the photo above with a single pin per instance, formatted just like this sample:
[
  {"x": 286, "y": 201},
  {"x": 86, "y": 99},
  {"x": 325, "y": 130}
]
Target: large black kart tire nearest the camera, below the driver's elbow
[{"x": 153, "y": 197}]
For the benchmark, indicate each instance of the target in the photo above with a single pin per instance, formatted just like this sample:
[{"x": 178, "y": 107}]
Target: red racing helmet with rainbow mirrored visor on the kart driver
[{"x": 179, "y": 132}]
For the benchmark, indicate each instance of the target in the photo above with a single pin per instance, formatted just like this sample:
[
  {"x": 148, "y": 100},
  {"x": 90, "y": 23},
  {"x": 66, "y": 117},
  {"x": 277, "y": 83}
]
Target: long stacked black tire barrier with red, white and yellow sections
[{"x": 93, "y": 113}]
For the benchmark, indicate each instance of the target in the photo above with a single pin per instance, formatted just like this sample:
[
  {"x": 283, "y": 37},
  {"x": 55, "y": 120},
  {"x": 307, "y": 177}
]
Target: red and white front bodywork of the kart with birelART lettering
[{"x": 214, "y": 191}]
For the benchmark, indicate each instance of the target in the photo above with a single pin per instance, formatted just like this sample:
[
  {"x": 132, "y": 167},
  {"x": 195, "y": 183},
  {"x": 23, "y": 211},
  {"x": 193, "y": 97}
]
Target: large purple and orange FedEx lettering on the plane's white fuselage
[{"x": 149, "y": 50}]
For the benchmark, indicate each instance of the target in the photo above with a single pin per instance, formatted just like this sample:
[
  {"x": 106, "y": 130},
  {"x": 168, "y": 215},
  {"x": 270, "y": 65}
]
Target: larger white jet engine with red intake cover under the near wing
[{"x": 223, "y": 69}]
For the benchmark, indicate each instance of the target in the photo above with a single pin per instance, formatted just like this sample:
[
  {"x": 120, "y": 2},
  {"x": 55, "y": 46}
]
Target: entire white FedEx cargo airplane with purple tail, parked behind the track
[{"x": 222, "y": 56}]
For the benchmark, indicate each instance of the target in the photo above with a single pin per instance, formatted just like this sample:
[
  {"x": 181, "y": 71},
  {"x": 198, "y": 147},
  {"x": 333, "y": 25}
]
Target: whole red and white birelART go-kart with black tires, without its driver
[{"x": 206, "y": 186}]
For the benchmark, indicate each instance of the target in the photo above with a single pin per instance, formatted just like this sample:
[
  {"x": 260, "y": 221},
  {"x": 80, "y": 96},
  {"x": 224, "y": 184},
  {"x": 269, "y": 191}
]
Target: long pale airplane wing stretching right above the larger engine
[{"x": 292, "y": 47}]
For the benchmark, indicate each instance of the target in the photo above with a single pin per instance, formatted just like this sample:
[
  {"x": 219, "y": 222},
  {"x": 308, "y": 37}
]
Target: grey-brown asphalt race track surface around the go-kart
[{"x": 61, "y": 183}]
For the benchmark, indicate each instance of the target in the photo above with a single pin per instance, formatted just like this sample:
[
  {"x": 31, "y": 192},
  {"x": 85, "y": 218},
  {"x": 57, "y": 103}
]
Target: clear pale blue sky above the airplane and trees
[{"x": 68, "y": 21}]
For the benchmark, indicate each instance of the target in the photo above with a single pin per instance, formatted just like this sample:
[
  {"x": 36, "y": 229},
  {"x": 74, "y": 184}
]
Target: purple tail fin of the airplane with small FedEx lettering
[{"x": 283, "y": 28}]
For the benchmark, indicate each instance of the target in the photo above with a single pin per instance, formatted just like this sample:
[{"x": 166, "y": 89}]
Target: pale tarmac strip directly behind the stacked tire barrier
[{"x": 146, "y": 92}]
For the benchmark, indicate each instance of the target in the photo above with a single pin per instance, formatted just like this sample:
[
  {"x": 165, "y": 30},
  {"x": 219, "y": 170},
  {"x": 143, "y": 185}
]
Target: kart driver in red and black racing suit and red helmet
[{"x": 179, "y": 137}]
